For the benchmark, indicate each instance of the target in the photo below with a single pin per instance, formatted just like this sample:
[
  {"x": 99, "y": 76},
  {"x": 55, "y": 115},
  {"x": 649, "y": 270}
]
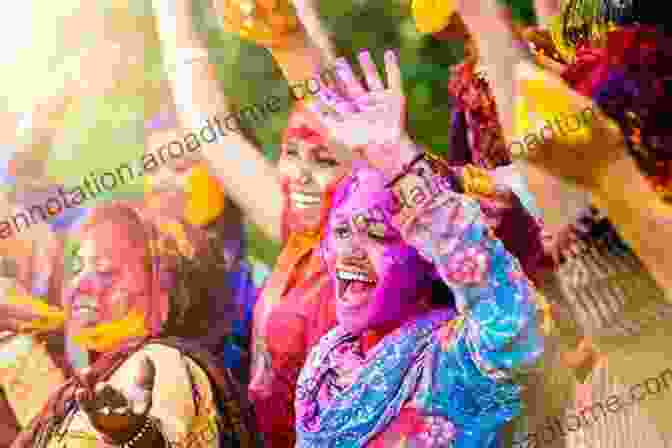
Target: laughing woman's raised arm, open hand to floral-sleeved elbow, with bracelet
[{"x": 493, "y": 294}]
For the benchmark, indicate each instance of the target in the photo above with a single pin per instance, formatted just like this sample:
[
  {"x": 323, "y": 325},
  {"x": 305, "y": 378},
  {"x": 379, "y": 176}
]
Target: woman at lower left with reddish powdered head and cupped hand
[{"x": 120, "y": 302}]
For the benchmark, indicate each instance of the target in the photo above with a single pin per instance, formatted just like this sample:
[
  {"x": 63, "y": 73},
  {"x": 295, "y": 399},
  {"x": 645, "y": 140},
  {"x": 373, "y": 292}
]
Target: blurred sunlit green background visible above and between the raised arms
[{"x": 105, "y": 54}]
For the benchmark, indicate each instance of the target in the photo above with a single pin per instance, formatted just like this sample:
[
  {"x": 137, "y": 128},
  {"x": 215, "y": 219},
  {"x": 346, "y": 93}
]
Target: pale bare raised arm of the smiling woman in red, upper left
[{"x": 246, "y": 175}]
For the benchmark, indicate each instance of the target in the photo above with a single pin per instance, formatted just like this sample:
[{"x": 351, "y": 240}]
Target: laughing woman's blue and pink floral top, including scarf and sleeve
[{"x": 440, "y": 380}]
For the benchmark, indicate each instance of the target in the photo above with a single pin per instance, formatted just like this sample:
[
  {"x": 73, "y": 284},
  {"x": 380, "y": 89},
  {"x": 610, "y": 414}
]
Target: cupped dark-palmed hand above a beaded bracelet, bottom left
[{"x": 118, "y": 413}]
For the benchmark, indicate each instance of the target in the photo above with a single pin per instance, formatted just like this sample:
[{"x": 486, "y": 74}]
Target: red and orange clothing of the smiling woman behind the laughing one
[{"x": 295, "y": 309}]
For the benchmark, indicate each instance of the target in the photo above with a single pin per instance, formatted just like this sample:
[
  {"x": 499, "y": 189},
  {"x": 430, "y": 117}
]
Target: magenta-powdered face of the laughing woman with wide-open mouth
[{"x": 379, "y": 277}]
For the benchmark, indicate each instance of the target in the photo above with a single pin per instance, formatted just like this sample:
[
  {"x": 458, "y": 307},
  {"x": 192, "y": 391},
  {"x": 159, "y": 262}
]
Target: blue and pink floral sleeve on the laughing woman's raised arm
[{"x": 494, "y": 297}]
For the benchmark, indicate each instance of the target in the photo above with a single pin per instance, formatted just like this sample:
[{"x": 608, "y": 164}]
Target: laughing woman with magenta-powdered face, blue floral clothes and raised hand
[{"x": 397, "y": 371}]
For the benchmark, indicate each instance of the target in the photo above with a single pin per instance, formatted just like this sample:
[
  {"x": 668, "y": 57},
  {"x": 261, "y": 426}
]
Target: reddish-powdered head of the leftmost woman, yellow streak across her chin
[{"x": 112, "y": 296}]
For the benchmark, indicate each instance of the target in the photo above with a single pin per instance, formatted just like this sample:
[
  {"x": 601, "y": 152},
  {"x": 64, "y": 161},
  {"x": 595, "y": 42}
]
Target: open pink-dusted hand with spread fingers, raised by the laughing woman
[{"x": 369, "y": 122}]
